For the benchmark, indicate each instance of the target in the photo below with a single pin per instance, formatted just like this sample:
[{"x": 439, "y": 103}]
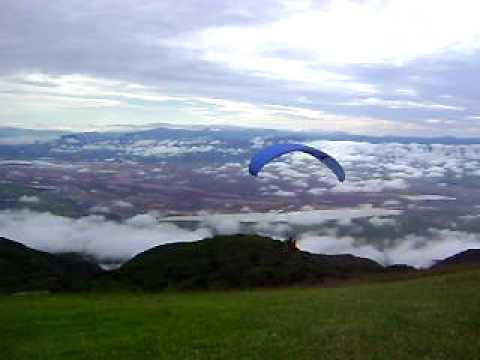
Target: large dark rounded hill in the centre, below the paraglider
[{"x": 235, "y": 262}]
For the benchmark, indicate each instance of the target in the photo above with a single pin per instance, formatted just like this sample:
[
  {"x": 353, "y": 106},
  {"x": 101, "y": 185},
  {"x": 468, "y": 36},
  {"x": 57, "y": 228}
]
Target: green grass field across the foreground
[{"x": 435, "y": 317}]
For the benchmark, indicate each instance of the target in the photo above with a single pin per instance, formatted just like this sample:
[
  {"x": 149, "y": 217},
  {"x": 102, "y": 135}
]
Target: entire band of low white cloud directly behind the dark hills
[{"x": 110, "y": 241}]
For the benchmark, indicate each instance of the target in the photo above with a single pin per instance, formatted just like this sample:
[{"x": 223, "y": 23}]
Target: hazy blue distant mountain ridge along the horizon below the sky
[{"x": 98, "y": 144}]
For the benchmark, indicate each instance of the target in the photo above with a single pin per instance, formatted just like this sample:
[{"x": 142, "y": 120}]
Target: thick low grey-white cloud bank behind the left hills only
[{"x": 92, "y": 235}]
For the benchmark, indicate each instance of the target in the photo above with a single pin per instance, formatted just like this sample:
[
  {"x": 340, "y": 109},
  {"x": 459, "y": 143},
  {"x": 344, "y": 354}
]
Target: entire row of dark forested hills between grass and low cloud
[{"x": 222, "y": 262}]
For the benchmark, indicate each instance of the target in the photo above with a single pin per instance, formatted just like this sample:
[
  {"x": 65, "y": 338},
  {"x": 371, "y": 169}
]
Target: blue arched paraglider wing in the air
[{"x": 263, "y": 157}]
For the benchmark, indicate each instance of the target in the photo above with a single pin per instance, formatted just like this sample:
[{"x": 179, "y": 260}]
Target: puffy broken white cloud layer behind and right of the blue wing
[{"x": 374, "y": 168}]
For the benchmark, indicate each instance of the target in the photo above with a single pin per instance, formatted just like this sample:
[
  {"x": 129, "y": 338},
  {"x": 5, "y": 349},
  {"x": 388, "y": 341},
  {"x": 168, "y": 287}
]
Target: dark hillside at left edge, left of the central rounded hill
[{"x": 25, "y": 269}]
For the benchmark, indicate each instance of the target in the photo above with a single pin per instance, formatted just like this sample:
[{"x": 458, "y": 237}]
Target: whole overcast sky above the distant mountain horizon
[{"x": 401, "y": 67}]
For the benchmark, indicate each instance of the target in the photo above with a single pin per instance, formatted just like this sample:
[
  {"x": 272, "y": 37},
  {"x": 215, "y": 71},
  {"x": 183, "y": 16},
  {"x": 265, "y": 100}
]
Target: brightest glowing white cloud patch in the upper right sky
[{"x": 346, "y": 32}]
